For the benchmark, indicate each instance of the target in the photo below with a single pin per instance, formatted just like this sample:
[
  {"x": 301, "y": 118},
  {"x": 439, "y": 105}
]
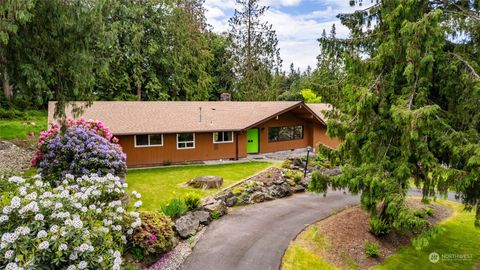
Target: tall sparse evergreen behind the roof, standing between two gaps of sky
[{"x": 255, "y": 51}]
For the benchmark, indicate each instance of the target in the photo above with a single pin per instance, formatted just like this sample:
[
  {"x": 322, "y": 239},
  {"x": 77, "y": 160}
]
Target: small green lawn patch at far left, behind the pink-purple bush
[{"x": 19, "y": 128}]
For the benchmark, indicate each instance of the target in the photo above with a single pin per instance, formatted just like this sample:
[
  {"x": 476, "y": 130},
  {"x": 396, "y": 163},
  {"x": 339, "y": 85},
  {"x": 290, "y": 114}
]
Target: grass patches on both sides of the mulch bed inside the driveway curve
[{"x": 459, "y": 238}]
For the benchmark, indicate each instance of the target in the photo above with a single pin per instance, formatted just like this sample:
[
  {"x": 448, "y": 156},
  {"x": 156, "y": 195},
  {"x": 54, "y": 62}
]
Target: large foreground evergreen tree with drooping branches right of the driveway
[{"x": 410, "y": 108}]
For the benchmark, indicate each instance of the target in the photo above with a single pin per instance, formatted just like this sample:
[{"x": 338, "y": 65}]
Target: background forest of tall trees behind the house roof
[{"x": 139, "y": 50}]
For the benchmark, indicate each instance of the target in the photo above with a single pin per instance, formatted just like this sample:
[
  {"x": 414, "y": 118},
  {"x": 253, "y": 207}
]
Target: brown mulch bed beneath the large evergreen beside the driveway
[{"x": 348, "y": 231}]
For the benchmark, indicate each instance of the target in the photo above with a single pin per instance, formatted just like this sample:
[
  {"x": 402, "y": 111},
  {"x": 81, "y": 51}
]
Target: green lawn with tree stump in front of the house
[{"x": 161, "y": 184}]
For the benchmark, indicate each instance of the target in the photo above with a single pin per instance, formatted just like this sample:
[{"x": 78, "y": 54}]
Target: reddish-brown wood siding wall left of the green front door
[{"x": 204, "y": 149}]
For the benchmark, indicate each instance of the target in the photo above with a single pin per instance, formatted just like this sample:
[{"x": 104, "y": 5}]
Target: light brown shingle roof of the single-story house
[{"x": 137, "y": 117}]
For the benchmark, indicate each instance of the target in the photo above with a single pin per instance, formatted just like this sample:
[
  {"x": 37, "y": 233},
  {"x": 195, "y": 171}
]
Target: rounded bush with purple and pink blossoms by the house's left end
[{"x": 84, "y": 147}]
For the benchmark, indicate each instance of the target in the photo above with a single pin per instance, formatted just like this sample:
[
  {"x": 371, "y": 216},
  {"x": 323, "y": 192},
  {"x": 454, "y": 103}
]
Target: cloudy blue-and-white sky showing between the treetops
[{"x": 298, "y": 24}]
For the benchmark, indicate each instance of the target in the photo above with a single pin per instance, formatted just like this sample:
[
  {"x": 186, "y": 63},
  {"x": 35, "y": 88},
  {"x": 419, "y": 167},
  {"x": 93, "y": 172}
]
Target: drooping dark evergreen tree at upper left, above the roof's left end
[{"x": 51, "y": 56}]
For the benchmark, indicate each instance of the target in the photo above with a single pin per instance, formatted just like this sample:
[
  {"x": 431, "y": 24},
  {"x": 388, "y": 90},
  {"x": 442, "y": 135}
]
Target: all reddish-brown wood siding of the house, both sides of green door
[{"x": 205, "y": 149}]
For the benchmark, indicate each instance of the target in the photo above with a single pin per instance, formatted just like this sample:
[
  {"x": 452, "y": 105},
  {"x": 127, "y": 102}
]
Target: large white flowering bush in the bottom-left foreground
[{"x": 81, "y": 224}]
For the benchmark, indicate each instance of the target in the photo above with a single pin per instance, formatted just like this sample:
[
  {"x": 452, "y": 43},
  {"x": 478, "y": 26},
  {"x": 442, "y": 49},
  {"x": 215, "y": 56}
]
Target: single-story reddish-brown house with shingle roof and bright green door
[{"x": 165, "y": 132}]
